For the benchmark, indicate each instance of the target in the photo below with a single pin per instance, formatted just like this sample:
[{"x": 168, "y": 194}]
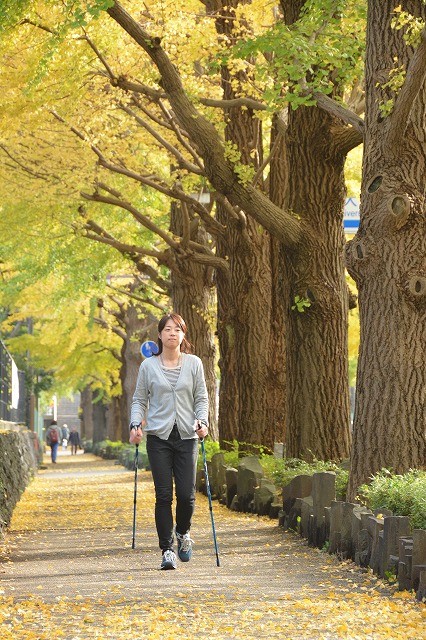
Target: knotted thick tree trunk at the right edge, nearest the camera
[{"x": 387, "y": 259}]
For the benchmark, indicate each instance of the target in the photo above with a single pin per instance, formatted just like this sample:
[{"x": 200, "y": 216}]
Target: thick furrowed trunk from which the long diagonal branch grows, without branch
[{"x": 317, "y": 361}]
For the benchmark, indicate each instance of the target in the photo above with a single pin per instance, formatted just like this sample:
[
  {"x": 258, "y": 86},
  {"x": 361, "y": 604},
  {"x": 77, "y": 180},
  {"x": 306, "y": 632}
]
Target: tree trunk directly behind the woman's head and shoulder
[{"x": 193, "y": 298}]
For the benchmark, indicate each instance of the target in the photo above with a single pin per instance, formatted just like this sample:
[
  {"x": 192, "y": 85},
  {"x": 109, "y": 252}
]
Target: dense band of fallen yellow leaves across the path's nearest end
[{"x": 175, "y": 618}]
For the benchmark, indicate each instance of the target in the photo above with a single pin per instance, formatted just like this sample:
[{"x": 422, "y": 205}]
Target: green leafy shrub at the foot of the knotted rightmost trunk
[{"x": 404, "y": 495}]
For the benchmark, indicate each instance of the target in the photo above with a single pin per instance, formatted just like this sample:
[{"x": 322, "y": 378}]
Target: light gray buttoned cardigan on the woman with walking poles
[{"x": 185, "y": 404}]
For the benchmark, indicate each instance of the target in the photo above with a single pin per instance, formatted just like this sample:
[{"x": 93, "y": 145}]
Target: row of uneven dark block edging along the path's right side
[{"x": 307, "y": 505}]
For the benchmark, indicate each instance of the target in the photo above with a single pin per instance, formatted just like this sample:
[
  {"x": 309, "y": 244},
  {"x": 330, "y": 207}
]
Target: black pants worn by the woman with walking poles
[{"x": 173, "y": 458}]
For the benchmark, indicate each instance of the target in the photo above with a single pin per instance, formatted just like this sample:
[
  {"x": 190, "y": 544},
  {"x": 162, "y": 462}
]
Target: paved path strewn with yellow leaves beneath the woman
[{"x": 69, "y": 571}]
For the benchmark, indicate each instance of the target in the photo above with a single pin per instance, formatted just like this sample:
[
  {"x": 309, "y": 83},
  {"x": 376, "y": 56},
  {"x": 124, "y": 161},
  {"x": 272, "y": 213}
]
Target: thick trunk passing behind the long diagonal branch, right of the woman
[{"x": 251, "y": 396}]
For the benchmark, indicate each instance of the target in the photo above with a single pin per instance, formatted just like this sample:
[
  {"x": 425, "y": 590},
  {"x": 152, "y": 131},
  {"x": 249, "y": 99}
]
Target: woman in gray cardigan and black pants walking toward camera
[{"x": 172, "y": 390}]
